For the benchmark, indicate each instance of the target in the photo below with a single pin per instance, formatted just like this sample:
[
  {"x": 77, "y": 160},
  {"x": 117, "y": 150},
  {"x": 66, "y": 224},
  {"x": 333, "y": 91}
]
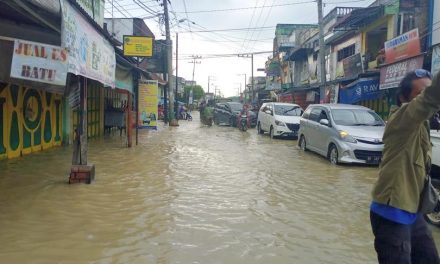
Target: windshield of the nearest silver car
[{"x": 356, "y": 117}]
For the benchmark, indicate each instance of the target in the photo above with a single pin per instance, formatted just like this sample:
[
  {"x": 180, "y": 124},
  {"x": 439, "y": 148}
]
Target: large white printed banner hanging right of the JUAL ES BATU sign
[{"x": 90, "y": 54}]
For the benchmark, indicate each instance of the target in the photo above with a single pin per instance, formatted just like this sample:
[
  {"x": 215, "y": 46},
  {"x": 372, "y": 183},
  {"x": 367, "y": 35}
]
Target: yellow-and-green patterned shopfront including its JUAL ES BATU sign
[{"x": 32, "y": 83}]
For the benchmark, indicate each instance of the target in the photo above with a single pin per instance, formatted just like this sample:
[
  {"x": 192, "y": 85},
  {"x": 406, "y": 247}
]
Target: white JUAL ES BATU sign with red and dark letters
[{"x": 39, "y": 62}]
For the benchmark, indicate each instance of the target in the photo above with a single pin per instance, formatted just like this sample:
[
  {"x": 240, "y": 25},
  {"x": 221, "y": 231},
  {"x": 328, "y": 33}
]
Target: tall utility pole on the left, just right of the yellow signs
[{"x": 169, "y": 59}]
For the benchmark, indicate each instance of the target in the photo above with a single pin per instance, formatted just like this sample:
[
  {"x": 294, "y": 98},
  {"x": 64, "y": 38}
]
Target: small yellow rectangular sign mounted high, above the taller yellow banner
[{"x": 138, "y": 46}]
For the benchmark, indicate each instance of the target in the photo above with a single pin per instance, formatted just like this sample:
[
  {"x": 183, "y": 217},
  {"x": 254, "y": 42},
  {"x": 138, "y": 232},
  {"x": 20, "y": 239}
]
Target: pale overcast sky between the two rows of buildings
[{"x": 225, "y": 70}]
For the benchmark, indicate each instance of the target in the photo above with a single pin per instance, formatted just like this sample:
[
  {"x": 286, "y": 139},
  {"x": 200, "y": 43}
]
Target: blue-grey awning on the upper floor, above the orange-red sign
[{"x": 360, "y": 17}]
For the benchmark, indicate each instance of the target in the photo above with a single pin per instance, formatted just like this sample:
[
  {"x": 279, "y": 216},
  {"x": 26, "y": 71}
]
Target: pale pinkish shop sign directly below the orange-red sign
[{"x": 391, "y": 75}]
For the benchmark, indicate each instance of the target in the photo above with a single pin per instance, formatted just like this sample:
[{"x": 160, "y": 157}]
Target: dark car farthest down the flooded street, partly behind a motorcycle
[{"x": 227, "y": 113}]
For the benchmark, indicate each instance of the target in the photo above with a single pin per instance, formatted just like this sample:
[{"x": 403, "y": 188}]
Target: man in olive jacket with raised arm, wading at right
[{"x": 401, "y": 233}]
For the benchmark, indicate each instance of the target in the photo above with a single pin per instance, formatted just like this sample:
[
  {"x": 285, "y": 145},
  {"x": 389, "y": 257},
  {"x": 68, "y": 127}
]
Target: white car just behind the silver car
[{"x": 279, "y": 119}]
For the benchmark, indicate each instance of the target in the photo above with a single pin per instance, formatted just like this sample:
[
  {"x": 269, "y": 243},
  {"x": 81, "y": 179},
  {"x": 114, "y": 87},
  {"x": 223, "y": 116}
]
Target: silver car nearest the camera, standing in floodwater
[{"x": 342, "y": 133}]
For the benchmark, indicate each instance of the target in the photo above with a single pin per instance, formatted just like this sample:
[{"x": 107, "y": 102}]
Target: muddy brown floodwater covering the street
[{"x": 190, "y": 194}]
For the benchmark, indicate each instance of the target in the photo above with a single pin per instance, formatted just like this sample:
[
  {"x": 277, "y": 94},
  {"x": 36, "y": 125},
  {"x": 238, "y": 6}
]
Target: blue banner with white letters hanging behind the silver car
[{"x": 360, "y": 90}]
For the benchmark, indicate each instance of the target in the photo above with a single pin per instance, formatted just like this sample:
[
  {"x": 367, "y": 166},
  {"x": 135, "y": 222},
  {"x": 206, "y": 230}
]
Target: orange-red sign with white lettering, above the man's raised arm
[{"x": 403, "y": 47}]
